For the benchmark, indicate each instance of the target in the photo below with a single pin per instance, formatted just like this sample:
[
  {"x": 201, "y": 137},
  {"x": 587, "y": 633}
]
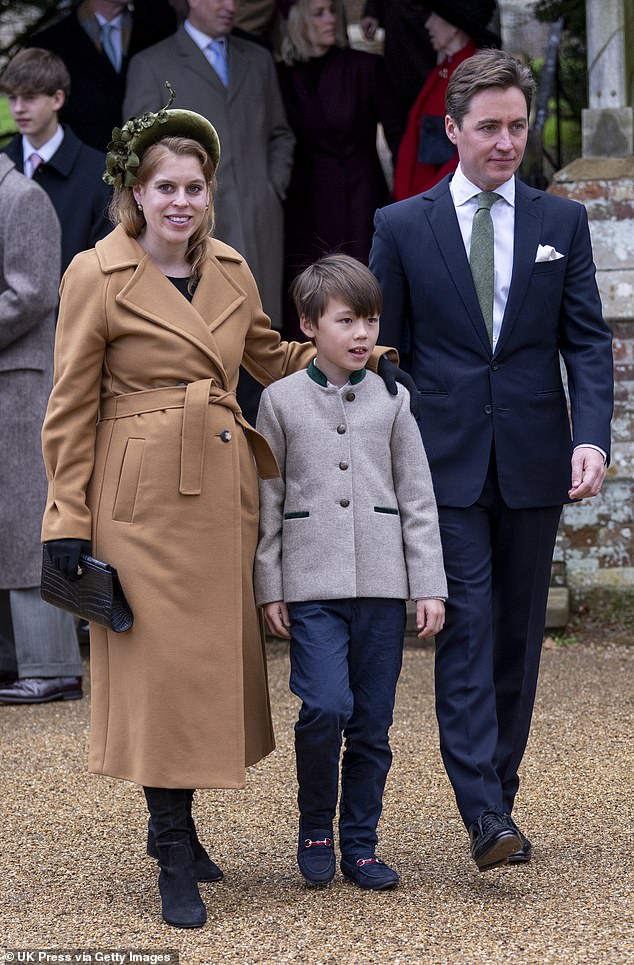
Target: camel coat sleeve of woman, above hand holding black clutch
[{"x": 68, "y": 434}]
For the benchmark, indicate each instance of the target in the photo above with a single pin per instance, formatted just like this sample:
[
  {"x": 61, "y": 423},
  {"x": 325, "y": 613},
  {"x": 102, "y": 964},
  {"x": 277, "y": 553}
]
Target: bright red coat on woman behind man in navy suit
[{"x": 412, "y": 176}]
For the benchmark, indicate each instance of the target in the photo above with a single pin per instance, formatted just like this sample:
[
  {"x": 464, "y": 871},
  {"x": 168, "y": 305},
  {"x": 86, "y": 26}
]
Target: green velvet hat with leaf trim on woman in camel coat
[{"x": 130, "y": 142}]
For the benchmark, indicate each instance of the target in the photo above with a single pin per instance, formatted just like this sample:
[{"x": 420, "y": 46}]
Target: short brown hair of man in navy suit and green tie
[{"x": 484, "y": 70}]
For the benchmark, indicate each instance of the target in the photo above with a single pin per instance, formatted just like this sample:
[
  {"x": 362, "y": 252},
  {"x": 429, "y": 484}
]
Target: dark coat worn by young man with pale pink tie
[{"x": 72, "y": 180}]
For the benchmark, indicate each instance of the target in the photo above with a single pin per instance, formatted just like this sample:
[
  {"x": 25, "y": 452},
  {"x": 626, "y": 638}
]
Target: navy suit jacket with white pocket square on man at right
[{"x": 513, "y": 400}]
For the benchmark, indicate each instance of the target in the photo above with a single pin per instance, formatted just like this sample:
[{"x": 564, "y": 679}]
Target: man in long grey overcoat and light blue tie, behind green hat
[{"x": 233, "y": 83}]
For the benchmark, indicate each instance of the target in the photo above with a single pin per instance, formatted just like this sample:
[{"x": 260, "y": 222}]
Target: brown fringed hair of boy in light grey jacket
[{"x": 336, "y": 276}]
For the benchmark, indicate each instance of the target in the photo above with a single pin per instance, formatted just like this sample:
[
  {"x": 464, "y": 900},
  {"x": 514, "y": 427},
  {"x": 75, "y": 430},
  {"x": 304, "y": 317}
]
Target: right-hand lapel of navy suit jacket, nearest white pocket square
[{"x": 526, "y": 235}]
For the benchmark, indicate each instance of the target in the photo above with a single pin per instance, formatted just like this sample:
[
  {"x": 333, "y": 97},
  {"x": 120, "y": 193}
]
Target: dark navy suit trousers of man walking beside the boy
[{"x": 498, "y": 564}]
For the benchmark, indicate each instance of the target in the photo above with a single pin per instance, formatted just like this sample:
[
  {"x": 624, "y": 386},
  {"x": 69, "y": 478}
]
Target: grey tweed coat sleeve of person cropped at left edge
[{"x": 30, "y": 243}]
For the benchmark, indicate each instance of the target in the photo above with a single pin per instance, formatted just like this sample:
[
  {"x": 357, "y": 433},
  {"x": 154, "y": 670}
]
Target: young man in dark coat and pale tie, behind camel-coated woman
[{"x": 37, "y": 84}]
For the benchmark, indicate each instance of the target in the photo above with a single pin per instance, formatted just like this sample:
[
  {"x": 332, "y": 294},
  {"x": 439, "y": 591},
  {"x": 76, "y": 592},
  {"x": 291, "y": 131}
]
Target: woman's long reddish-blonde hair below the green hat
[{"x": 124, "y": 210}]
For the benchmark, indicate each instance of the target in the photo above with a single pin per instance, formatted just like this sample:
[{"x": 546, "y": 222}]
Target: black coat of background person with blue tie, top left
[{"x": 96, "y": 98}]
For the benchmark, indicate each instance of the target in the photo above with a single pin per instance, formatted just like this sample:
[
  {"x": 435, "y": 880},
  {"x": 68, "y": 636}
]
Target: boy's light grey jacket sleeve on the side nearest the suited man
[{"x": 417, "y": 507}]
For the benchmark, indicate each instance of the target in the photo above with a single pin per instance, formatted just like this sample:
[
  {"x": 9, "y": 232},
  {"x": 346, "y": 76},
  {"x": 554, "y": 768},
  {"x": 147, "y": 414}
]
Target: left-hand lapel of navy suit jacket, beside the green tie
[{"x": 444, "y": 224}]
